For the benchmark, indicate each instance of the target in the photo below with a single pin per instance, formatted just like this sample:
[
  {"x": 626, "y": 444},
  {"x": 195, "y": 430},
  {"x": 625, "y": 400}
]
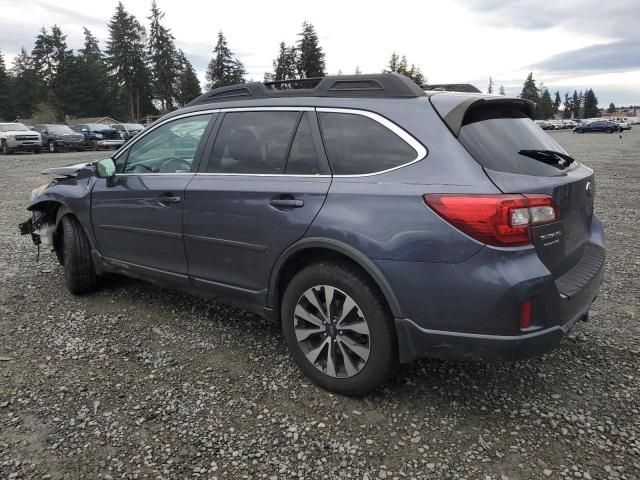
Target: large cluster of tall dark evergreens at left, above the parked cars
[{"x": 140, "y": 72}]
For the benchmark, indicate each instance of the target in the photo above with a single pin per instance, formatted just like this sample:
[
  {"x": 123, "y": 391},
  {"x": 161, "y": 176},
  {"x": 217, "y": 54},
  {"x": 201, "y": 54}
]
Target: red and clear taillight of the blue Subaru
[{"x": 500, "y": 220}]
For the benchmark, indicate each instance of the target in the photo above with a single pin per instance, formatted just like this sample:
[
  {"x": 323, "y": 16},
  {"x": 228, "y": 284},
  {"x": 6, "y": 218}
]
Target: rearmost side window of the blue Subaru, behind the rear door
[{"x": 357, "y": 145}]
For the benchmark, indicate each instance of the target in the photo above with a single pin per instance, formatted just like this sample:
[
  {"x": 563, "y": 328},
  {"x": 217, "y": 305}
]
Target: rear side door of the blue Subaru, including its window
[{"x": 258, "y": 190}]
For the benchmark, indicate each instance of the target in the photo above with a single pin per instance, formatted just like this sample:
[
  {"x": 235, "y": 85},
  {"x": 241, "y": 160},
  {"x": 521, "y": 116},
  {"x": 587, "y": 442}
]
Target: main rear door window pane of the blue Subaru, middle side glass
[{"x": 253, "y": 142}]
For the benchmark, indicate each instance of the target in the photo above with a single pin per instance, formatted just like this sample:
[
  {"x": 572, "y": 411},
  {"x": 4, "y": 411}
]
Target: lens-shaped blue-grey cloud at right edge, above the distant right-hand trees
[{"x": 622, "y": 55}]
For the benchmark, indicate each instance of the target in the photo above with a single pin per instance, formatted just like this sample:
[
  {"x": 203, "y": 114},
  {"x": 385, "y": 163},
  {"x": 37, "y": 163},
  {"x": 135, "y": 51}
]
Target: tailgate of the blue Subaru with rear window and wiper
[{"x": 520, "y": 158}]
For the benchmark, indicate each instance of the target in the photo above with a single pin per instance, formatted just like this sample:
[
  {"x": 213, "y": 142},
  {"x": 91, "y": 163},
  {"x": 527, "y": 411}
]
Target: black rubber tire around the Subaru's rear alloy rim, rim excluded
[{"x": 383, "y": 348}]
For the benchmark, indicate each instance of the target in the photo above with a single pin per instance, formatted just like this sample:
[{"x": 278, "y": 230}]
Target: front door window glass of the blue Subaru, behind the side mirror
[{"x": 169, "y": 148}]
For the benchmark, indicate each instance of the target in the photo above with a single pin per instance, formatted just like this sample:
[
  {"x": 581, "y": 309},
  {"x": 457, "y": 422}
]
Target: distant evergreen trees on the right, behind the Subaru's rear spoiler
[{"x": 577, "y": 105}]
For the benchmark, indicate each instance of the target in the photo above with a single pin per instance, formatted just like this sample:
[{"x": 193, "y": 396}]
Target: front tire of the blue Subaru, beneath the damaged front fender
[{"x": 76, "y": 252}]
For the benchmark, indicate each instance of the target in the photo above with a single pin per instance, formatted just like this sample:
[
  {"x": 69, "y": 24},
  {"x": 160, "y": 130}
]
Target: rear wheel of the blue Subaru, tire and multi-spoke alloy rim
[{"x": 338, "y": 329}]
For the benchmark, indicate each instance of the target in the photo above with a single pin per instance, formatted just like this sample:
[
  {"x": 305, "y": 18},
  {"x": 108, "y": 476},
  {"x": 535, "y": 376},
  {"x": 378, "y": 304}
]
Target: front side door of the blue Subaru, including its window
[{"x": 137, "y": 216}]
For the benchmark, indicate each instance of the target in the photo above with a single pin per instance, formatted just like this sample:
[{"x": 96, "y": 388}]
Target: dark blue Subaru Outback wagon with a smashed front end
[{"x": 378, "y": 222}]
